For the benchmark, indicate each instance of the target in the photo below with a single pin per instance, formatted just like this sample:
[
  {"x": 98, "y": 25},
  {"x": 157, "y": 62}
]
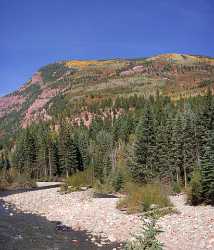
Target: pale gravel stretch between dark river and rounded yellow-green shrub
[{"x": 80, "y": 211}]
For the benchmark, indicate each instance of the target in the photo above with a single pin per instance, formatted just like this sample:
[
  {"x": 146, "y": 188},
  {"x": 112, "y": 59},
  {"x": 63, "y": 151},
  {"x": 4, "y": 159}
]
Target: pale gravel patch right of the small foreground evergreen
[{"x": 192, "y": 228}]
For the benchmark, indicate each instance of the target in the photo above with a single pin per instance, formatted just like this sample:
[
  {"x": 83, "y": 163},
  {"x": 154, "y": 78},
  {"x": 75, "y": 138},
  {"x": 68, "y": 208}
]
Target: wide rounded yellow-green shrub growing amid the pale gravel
[{"x": 140, "y": 198}]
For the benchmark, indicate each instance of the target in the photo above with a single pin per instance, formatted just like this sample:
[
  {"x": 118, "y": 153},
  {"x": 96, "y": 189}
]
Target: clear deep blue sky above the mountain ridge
[{"x": 37, "y": 32}]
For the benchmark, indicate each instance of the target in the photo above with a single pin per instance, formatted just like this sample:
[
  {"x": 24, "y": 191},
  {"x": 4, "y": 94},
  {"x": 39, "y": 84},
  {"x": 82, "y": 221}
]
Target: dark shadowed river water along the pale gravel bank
[{"x": 21, "y": 231}]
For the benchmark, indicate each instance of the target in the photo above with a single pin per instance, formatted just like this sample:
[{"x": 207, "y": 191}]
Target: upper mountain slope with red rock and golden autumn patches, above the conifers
[{"x": 73, "y": 85}]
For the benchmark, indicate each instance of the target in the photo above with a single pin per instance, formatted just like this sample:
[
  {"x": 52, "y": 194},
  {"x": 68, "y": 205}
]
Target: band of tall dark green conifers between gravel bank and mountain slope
[{"x": 159, "y": 139}]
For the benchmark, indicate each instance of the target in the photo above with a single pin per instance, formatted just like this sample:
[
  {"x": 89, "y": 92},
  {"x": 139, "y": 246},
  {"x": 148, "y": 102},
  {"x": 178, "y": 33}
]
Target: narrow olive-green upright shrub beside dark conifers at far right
[{"x": 194, "y": 192}]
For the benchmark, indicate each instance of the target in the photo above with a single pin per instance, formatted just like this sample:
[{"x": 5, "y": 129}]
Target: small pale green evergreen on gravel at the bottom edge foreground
[{"x": 147, "y": 239}]
